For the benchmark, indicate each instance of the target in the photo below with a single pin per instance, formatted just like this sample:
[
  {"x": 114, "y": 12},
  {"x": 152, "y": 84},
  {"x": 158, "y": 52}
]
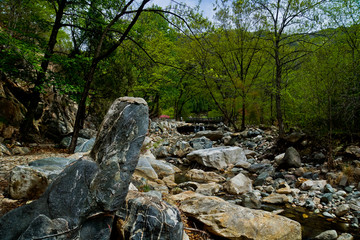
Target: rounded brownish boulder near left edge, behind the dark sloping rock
[{"x": 27, "y": 183}]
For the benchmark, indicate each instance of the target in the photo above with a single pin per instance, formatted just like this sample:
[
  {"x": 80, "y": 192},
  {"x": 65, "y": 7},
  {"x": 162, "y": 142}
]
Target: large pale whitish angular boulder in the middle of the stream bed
[{"x": 219, "y": 157}]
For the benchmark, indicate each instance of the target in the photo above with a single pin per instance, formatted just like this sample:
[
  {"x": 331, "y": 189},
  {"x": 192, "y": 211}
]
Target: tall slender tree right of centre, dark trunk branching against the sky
[{"x": 288, "y": 22}]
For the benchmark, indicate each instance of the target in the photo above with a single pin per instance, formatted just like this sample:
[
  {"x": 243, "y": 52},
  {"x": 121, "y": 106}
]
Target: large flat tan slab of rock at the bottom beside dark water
[{"x": 236, "y": 222}]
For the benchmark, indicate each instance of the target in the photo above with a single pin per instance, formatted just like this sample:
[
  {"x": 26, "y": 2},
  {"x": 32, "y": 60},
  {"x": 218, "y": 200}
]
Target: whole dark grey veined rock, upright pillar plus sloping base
[{"x": 83, "y": 199}]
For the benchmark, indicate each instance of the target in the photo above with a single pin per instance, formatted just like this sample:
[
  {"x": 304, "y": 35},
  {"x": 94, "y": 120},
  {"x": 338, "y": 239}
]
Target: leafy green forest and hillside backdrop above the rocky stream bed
[{"x": 286, "y": 63}]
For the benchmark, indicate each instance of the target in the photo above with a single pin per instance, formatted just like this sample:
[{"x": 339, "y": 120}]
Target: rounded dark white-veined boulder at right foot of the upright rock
[{"x": 145, "y": 217}]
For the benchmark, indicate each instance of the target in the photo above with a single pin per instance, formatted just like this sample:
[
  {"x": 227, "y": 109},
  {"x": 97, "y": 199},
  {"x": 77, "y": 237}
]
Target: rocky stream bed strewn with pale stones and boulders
[{"x": 224, "y": 181}]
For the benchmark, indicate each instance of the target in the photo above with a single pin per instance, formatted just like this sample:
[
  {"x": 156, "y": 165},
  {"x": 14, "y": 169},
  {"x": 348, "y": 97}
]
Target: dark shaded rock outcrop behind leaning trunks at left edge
[{"x": 54, "y": 117}]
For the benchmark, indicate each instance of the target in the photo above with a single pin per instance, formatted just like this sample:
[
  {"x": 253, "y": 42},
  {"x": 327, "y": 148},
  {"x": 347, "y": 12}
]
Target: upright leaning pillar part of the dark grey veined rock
[{"x": 117, "y": 149}]
